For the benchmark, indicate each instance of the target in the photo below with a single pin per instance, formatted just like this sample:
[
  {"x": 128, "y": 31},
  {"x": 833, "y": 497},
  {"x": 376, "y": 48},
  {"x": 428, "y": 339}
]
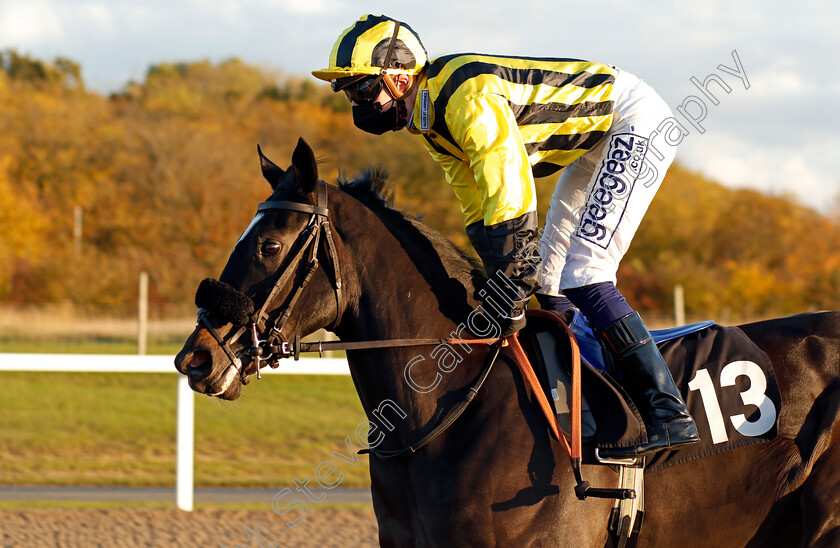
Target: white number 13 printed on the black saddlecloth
[{"x": 756, "y": 395}]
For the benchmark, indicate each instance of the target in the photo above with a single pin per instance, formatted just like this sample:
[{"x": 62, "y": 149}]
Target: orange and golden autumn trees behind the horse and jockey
[{"x": 166, "y": 173}]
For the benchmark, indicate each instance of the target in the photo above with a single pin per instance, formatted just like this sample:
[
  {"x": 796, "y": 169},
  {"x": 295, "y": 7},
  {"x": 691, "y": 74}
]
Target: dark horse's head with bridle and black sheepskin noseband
[{"x": 245, "y": 317}]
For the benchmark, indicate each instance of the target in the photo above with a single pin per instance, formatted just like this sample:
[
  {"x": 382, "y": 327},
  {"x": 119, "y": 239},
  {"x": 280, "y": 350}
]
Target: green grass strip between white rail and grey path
[{"x": 119, "y": 429}]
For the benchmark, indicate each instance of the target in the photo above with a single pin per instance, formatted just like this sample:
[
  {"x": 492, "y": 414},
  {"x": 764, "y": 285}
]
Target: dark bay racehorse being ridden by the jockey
[{"x": 496, "y": 477}]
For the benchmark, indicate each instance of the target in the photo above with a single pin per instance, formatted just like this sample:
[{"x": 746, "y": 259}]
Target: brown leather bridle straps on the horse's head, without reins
[{"x": 268, "y": 345}]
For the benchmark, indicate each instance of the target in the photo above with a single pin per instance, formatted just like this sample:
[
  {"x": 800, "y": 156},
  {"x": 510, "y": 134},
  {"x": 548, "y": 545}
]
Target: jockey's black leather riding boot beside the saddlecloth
[{"x": 648, "y": 381}]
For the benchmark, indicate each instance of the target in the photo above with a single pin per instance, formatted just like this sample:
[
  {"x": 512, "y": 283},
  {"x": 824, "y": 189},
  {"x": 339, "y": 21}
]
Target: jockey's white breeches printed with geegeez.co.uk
[{"x": 600, "y": 199}]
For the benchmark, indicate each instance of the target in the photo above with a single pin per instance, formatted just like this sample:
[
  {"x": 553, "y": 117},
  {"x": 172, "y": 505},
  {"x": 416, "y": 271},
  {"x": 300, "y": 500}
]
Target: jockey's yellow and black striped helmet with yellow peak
[{"x": 363, "y": 49}]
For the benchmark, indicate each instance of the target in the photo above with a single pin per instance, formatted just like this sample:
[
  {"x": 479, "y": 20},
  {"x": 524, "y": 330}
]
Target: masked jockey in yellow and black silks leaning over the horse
[{"x": 495, "y": 123}]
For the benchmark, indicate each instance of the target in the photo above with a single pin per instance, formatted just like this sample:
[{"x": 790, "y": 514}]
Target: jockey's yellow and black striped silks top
[{"x": 495, "y": 123}]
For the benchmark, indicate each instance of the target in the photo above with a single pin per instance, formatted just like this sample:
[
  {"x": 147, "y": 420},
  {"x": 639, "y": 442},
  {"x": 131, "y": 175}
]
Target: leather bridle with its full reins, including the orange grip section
[{"x": 272, "y": 348}]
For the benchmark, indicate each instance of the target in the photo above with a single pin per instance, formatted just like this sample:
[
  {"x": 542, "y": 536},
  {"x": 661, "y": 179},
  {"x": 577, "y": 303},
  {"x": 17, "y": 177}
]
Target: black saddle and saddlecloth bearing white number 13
[{"x": 708, "y": 363}]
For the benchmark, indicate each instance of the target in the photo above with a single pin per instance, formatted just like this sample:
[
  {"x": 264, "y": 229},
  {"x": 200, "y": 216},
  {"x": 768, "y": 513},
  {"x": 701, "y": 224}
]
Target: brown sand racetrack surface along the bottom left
[{"x": 329, "y": 527}]
